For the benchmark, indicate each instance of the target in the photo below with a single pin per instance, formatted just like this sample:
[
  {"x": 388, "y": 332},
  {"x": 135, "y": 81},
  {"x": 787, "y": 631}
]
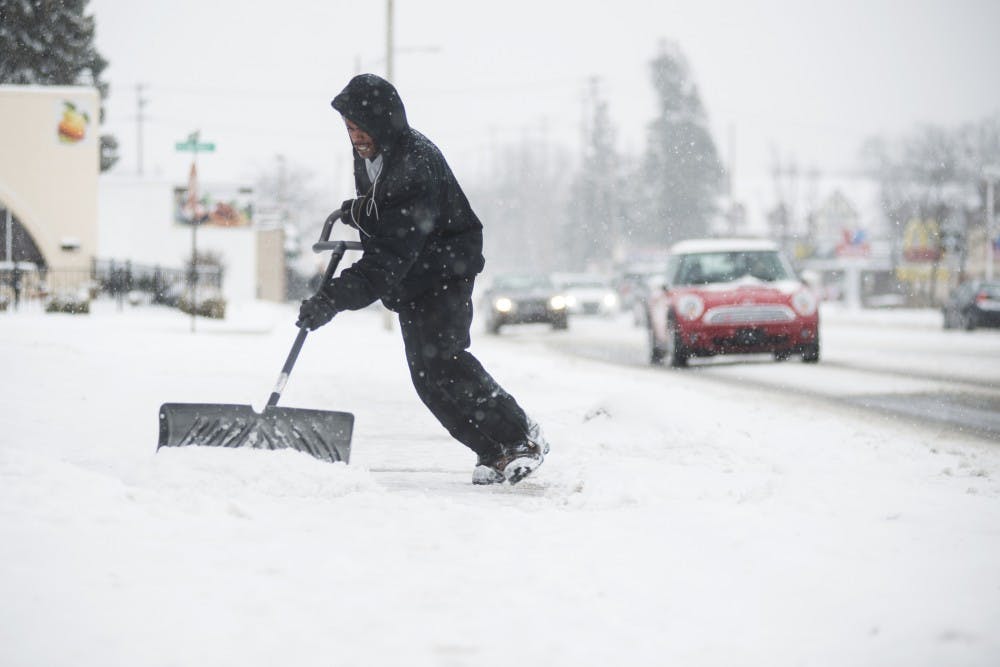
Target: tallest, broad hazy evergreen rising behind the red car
[{"x": 681, "y": 174}]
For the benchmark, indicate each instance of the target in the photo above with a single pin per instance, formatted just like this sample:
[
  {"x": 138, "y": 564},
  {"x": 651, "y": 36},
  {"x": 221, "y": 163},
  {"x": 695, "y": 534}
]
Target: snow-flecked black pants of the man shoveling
[{"x": 449, "y": 380}]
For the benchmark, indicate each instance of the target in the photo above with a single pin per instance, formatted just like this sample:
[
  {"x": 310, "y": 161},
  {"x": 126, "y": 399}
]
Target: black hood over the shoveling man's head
[{"x": 373, "y": 104}]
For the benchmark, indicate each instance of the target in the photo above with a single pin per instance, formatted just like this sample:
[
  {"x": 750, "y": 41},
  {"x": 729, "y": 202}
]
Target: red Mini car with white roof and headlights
[{"x": 731, "y": 296}]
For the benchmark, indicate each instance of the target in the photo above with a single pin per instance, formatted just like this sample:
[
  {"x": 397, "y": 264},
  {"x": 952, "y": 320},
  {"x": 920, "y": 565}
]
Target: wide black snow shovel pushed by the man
[{"x": 323, "y": 434}]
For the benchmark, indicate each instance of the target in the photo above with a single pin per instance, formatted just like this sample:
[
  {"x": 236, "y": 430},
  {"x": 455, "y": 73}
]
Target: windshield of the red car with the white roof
[{"x": 723, "y": 267}]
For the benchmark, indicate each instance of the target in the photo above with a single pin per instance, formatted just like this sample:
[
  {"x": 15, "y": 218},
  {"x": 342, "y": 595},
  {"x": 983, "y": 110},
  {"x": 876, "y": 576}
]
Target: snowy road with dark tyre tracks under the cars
[{"x": 900, "y": 364}]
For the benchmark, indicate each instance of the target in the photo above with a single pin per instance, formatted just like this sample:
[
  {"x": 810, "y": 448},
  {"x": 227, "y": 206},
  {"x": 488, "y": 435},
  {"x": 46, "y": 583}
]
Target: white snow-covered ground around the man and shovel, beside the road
[{"x": 675, "y": 522}]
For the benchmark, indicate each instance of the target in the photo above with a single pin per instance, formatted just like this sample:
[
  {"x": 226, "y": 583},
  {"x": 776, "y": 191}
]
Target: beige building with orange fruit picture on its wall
[{"x": 49, "y": 164}]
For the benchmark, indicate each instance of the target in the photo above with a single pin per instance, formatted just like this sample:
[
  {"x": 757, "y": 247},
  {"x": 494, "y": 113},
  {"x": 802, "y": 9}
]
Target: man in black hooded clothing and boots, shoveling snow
[{"x": 422, "y": 251}]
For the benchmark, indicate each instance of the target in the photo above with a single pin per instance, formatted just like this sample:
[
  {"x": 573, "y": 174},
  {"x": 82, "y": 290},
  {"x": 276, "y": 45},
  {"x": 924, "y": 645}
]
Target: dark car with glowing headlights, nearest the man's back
[{"x": 524, "y": 299}]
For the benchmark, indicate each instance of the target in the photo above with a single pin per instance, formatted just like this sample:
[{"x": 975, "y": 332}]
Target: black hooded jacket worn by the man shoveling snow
[{"x": 416, "y": 225}]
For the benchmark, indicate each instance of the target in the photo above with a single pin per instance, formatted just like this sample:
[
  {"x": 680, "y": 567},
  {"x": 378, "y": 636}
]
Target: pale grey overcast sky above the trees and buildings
[{"x": 784, "y": 79}]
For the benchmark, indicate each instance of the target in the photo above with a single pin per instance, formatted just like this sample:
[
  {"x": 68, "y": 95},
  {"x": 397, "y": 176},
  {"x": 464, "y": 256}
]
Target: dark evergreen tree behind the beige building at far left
[{"x": 51, "y": 43}]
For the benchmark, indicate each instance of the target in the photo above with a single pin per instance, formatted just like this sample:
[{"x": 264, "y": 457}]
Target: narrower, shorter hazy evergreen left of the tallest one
[{"x": 594, "y": 229}]
